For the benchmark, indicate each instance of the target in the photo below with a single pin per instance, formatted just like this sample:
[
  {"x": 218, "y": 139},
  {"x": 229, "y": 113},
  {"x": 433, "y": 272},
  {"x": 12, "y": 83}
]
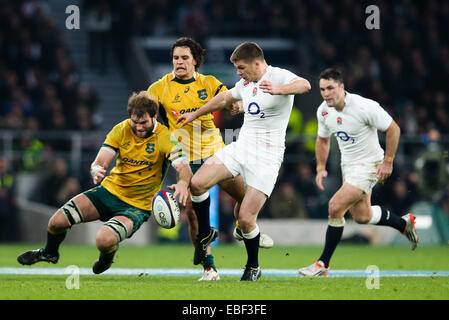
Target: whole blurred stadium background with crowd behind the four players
[{"x": 62, "y": 90}]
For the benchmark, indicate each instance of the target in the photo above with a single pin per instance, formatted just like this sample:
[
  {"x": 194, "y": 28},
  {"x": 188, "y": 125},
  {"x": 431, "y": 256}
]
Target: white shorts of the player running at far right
[{"x": 362, "y": 175}]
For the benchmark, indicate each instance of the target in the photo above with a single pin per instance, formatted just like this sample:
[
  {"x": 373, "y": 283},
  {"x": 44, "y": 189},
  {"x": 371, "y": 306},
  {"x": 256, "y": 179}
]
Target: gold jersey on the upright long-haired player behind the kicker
[{"x": 200, "y": 138}]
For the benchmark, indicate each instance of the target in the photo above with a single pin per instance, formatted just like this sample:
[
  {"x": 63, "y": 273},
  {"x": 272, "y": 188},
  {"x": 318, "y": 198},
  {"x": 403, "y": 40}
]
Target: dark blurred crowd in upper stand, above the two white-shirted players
[{"x": 403, "y": 64}]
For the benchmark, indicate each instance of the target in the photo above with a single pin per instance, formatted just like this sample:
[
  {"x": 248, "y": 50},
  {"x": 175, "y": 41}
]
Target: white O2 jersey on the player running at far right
[{"x": 355, "y": 128}]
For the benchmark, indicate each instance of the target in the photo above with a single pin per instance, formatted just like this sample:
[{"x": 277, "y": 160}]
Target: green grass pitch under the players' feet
[{"x": 144, "y": 287}]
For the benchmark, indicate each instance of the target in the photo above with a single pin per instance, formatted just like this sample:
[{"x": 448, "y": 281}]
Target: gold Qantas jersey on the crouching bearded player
[{"x": 141, "y": 163}]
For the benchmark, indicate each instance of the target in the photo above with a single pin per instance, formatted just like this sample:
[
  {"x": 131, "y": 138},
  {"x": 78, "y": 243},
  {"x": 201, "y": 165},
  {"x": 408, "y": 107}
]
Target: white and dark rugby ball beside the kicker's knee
[{"x": 165, "y": 209}]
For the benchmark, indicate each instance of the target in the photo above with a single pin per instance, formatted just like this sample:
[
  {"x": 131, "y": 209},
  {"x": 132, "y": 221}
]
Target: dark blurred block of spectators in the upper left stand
[{"x": 40, "y": 86}]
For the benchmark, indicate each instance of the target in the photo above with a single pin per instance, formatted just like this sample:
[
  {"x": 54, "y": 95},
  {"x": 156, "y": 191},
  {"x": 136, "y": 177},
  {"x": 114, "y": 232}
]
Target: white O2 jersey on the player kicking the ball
[{"x": 266, "y": 116}]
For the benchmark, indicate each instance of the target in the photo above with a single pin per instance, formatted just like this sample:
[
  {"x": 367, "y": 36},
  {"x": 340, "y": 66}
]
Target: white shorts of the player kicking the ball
[{"x": 258, "y": 169}]
